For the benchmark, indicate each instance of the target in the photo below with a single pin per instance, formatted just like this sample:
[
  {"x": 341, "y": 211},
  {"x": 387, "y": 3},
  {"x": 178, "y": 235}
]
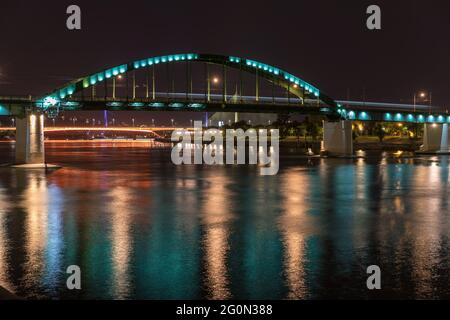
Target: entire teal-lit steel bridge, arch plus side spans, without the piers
[{"x": 302, "y": 97}]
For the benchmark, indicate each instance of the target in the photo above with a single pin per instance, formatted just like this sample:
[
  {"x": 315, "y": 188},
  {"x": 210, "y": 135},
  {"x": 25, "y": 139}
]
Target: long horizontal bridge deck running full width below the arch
[{"x": 19, "y": 108}]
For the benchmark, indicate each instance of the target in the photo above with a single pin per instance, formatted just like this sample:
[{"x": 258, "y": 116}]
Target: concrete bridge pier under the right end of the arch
[{"x": 337, "y": 138}]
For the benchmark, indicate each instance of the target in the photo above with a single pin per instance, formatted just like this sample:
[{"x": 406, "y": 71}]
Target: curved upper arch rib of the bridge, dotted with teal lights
[{"x": 294, "y": 84}]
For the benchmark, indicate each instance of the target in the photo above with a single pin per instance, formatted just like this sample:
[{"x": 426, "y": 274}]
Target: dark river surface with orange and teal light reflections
[{"x": 140, "y": 227}]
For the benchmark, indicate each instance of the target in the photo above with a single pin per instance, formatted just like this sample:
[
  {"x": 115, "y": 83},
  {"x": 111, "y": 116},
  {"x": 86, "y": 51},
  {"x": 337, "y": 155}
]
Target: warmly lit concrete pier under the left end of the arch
[{"x": 30, "y": 139}]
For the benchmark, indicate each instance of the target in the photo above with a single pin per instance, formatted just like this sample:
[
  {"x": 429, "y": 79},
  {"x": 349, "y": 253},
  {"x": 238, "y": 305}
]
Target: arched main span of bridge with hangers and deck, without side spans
[{"x": 301, "y": 95}]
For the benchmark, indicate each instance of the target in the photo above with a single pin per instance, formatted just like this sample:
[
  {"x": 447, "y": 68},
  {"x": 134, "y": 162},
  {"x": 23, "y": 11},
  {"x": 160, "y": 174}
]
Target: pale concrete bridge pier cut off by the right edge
[{"x": 435, "y": 139}]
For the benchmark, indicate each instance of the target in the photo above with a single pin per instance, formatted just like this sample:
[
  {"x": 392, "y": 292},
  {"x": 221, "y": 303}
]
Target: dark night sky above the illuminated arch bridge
[{"x": 324, "y": 42}]
